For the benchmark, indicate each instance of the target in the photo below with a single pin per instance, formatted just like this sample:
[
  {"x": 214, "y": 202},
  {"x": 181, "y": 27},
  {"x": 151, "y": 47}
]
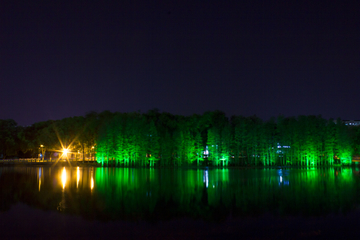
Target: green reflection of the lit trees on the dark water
[{"x": 138, "y": 192}]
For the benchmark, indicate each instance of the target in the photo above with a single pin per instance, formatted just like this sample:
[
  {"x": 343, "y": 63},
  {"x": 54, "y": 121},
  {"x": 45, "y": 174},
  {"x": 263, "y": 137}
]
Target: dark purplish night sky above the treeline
[{"x": 60, "y": 59}]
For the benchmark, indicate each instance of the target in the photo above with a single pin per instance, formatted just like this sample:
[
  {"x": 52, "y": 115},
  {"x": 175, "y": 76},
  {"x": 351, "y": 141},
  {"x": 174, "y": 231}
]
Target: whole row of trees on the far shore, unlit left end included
[{"x": 161, "y": 139}]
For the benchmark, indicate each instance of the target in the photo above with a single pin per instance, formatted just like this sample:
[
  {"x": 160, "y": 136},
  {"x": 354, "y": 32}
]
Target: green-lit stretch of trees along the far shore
[{"x": 307, "y": 141}]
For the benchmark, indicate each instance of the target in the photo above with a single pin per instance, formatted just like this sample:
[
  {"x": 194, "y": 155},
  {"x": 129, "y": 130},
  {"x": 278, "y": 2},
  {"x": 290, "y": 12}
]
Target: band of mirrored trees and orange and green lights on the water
[{"x": 125, "y": 193}]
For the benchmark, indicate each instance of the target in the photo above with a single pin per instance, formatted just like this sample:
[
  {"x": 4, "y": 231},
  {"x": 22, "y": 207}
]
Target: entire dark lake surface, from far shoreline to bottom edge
[{"x": 43, "y": 202}]
